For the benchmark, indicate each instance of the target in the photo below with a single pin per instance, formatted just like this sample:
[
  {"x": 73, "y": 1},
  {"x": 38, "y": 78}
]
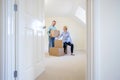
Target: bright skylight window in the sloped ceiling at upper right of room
[{"x": 81, "y": 14}]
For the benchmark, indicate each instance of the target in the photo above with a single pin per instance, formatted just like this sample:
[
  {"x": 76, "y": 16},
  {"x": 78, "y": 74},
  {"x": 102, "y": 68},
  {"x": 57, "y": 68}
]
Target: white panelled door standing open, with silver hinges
[{"x": 30, "y": 39}]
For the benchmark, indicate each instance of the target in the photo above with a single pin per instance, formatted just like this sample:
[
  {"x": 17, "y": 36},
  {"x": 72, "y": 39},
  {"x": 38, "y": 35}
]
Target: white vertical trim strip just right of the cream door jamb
[{"x": 97, "y": 52}]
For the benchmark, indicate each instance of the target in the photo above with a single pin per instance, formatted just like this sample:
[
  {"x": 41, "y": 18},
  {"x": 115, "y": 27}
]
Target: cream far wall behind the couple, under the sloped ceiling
[{"x": 77, "y": 30}]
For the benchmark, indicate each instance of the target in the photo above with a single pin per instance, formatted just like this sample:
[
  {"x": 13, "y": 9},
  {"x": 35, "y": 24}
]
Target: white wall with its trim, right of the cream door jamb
[{"x": 107, "y": 39}]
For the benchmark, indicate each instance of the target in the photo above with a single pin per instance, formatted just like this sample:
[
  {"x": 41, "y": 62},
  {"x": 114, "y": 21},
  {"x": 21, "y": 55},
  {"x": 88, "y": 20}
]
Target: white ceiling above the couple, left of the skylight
[{"x": 63, "y": 8}]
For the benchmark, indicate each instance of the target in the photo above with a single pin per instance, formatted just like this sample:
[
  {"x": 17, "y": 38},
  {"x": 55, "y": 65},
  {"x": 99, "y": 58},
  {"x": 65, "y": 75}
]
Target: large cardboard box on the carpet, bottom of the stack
[{"x": 56, "y": 51}]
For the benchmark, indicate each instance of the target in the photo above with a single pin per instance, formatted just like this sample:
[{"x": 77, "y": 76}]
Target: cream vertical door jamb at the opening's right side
[{"x": 90, "y": 43}]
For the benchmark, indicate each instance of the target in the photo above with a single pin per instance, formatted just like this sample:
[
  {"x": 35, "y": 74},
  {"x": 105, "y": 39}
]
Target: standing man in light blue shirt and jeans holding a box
[{"x": 51, "y": 30}]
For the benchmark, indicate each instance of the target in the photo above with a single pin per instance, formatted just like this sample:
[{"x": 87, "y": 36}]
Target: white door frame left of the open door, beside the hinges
[{"x": 8, "y": 37}]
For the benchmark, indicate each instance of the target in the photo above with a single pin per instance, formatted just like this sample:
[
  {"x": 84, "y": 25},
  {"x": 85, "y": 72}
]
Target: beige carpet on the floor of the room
[{"x": 65, "y": 68}]
